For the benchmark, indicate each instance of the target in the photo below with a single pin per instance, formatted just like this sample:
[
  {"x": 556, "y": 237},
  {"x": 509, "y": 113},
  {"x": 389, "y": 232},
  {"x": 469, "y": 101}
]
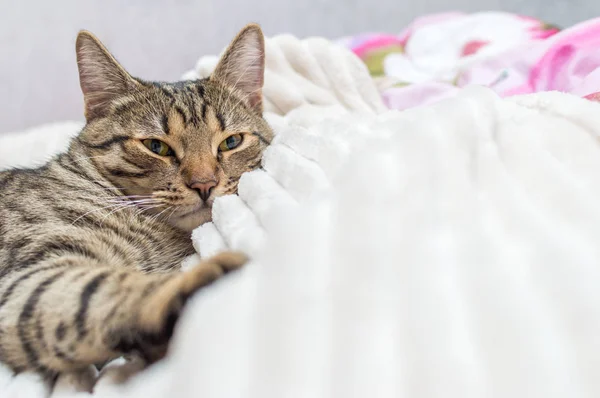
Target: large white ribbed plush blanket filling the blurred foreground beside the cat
[{"x": 446, "y": 251}]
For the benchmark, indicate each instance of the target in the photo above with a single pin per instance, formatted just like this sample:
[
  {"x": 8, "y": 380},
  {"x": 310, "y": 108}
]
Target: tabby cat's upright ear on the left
[{"x": 101, "y": 77}]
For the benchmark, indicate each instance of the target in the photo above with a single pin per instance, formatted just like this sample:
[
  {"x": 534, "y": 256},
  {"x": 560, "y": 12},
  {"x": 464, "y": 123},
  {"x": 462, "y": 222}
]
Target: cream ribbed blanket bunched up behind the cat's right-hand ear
[{"x": 310, "y": 71}]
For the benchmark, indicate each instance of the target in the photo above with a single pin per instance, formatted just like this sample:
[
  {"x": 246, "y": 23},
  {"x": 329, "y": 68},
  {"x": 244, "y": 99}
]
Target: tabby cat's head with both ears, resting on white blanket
[{"x": 172, "y": 148}]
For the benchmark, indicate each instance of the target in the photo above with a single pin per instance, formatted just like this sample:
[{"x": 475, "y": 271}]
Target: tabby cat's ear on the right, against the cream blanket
[{"x": 242, "y": 66}]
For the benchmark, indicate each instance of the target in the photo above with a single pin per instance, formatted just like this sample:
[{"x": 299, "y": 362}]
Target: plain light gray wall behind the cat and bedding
[{"x": 160, "y": 39}]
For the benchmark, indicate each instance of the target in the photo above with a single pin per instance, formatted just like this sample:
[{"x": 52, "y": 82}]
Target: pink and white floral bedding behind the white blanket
[{"x": 438, "y": 54}]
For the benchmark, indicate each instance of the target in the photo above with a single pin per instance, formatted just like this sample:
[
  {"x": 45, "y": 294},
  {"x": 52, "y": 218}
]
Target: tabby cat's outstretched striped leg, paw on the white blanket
[{"x": 70, "y": 312}]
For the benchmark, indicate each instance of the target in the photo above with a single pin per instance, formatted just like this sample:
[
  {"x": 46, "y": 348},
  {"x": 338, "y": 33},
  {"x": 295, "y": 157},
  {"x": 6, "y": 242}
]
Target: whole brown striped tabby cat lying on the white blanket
[{"x": 91, "y": 243}]
